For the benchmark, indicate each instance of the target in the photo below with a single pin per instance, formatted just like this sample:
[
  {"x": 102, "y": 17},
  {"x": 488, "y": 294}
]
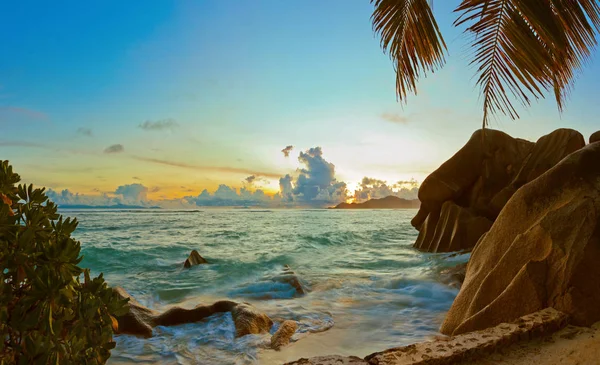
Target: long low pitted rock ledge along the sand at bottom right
[{"x": 472, "y": 345}]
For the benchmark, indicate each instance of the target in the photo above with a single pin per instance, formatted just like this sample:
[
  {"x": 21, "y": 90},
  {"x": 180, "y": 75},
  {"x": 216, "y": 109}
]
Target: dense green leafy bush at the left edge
[{"x": 51, "y": 311}]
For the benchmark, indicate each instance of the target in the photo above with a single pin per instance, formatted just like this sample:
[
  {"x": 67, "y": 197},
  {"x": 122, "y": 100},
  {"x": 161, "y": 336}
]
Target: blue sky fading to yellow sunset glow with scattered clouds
[{"x": 194, "y": 102}]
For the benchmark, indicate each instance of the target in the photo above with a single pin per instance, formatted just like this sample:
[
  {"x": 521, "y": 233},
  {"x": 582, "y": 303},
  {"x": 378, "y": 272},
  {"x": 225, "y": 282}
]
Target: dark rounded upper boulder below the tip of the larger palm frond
[{"x": 485, "y": 164}]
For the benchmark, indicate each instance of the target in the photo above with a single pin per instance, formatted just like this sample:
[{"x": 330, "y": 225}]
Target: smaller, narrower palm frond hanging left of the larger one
[{"x": 410, "y": 35}]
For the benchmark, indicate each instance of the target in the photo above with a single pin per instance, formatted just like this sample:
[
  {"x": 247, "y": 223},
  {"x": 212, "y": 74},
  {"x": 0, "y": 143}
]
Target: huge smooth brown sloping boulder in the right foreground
[{"x": 542, "y": 251}]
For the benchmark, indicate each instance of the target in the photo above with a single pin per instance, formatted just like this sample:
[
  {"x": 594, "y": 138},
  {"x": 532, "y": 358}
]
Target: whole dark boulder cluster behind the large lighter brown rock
[{"x": 461, "y": 199}]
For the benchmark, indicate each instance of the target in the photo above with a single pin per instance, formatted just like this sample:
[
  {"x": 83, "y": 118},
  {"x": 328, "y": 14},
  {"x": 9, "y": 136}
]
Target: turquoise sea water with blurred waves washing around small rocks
[{"x": 368, "y": 288}]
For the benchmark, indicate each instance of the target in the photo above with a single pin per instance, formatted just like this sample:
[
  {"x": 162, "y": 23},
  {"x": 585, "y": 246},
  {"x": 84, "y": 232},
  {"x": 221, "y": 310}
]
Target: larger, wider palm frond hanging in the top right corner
[{"x": 524, "y": 48}]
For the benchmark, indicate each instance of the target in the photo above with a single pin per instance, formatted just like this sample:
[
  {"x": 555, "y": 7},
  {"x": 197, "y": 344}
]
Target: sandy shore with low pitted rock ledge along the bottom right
[{"x": 543, "y": 337}]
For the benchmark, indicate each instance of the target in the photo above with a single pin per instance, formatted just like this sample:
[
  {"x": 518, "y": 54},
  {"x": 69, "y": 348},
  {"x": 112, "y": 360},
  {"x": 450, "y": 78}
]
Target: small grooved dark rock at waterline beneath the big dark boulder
[{"x": 457, "y": 229}]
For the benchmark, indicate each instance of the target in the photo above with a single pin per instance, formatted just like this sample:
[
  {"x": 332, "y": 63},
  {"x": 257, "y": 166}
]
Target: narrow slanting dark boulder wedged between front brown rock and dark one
[{"x": 547, "y": 152}]
